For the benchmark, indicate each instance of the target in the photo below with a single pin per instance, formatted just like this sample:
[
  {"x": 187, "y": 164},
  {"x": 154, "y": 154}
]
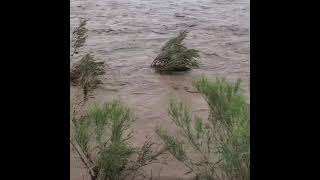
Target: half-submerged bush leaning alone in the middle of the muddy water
[{"x": 174, "y": 56}]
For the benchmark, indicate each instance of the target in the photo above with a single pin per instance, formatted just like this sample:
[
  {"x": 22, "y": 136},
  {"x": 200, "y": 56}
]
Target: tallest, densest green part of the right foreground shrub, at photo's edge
[{"x": 230, "y": 114}]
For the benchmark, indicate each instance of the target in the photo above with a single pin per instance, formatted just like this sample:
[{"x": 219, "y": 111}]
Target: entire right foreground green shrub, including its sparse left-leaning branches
[{"x": 221, "y": 144}]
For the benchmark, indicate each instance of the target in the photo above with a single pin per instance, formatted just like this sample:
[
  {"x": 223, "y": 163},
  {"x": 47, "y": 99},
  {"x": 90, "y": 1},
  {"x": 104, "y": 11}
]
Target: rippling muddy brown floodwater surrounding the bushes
[{"x": 127, "y": 35}]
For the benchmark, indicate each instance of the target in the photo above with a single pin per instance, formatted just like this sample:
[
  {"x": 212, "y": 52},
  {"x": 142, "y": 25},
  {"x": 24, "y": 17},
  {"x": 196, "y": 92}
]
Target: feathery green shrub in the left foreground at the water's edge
[{"x": 113, "y": 153}]
